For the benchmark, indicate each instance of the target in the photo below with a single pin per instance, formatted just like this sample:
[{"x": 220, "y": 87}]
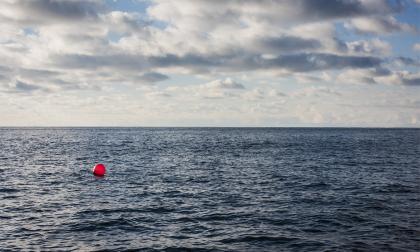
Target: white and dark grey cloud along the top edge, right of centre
[{"x": 201, "y": 13}]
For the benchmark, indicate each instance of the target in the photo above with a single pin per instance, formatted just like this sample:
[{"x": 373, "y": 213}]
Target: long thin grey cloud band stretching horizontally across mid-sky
[{"x": 301, "y": 62}]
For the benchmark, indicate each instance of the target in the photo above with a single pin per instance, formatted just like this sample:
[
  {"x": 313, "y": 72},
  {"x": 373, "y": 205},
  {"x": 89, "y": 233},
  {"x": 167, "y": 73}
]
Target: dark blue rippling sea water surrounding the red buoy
[{"x": 216, "y": 189}]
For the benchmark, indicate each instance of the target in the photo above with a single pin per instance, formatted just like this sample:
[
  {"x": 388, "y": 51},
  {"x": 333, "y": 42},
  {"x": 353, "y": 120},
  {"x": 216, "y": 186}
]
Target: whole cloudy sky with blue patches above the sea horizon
[{"x": 345, "y": 63}]
